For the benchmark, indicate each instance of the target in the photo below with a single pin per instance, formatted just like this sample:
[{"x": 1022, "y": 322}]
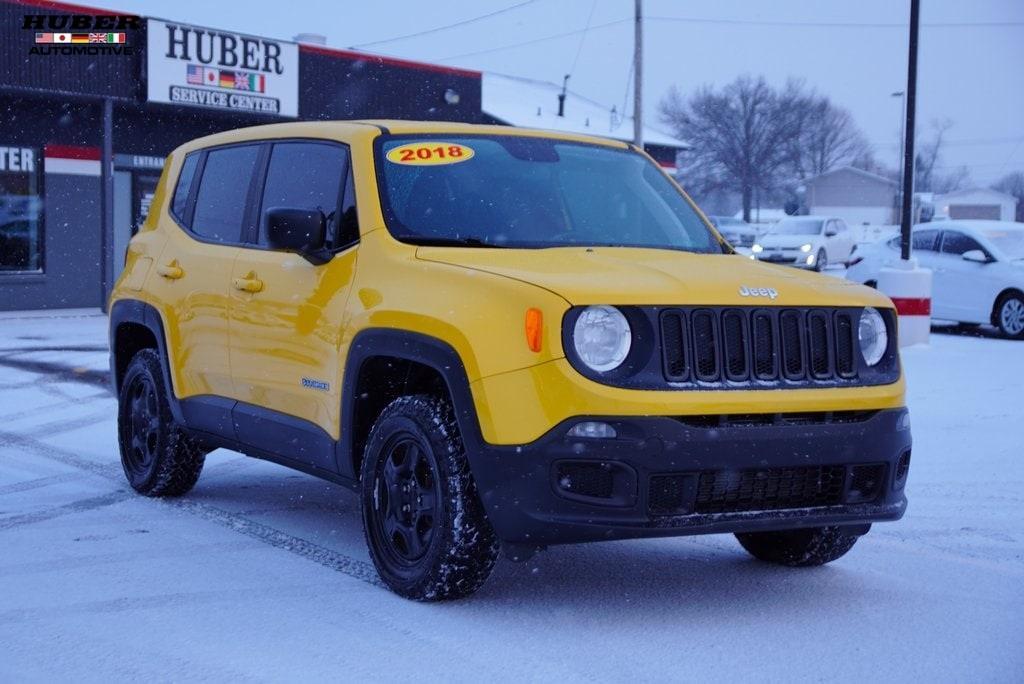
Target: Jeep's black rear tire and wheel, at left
[{"x": 158, "y": 457}]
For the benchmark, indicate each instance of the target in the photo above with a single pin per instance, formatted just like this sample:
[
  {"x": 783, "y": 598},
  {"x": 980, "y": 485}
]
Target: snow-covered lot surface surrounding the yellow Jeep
[{"x": 262, "y": 574}]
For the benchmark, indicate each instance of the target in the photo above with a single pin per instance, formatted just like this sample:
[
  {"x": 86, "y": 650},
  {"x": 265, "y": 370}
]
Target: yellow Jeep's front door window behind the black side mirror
[{"x": 306, "y": 176}]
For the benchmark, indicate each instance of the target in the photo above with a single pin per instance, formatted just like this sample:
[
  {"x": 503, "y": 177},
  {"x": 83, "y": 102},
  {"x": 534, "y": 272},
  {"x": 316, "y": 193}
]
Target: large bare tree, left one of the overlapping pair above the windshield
[{"x": 740, "y": 136}]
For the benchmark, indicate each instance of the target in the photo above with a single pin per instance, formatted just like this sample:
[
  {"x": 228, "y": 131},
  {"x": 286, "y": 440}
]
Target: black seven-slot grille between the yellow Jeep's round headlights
[{"x": 746, "y": 346}]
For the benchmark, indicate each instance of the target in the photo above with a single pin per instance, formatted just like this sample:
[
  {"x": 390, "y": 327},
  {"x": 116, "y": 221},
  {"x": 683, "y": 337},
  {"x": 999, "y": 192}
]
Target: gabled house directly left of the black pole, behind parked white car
[{"x": 859, "y": 197}]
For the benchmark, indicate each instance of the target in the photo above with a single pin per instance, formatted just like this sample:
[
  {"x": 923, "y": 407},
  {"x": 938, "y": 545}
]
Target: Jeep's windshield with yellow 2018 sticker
[{"x": 532, "y": 193}]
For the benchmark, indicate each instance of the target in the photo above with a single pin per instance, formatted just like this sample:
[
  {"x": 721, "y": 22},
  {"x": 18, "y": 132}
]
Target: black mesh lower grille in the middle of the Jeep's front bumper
[{"x": 770, "y": 489}]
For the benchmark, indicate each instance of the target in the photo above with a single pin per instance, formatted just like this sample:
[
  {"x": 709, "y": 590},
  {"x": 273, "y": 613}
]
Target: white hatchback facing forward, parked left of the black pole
[{"x": 806, "y": 242}]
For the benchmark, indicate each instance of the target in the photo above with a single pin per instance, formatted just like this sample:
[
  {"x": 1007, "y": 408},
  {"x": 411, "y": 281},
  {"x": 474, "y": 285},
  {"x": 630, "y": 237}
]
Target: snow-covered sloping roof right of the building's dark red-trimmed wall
[{"x": 531, "y": 104}]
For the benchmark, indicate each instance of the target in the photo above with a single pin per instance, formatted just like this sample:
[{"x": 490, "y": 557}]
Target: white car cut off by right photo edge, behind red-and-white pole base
[{"x": 977, "y": 271}]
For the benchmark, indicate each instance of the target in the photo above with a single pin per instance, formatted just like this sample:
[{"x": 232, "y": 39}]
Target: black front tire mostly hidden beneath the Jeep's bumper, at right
[{"x": 799, "y": 548}]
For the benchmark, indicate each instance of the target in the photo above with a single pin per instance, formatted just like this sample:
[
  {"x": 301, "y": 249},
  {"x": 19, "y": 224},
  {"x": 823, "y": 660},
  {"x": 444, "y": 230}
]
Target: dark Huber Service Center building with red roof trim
[{"x": 80, "y": 87}]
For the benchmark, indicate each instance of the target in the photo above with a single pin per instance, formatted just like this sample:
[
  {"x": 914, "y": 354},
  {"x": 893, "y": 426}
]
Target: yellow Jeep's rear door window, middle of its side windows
[{"x": 221, "y": 203}]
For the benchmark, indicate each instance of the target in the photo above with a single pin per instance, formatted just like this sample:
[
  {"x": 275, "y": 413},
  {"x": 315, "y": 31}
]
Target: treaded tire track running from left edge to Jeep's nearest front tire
[{"x": 338, "y": 563}]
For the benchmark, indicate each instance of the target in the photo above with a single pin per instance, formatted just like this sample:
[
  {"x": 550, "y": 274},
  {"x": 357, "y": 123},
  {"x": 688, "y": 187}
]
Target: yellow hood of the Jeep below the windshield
[{"x": 632, "y": 276}]
